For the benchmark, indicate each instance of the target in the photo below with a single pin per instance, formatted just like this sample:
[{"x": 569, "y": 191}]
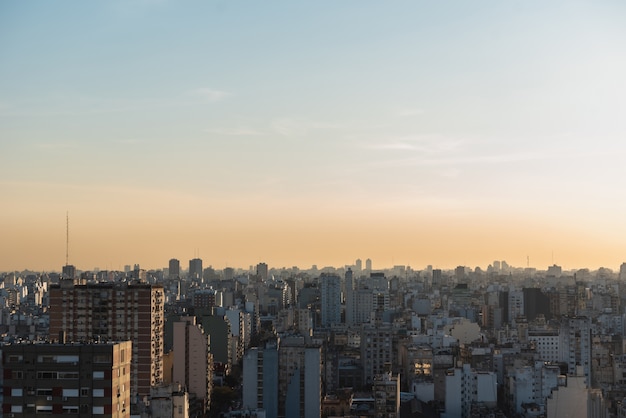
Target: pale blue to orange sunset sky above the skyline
[{"x": 299, "y": 133}]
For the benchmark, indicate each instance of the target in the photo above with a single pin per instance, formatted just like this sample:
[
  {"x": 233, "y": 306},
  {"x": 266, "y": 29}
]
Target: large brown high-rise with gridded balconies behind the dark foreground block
[{"x": 114, "y": 312}]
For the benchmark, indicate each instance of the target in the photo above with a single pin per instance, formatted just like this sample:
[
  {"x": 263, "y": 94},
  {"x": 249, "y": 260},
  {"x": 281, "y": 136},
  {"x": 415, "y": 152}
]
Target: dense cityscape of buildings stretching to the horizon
[{"x": 189, "y": 340}]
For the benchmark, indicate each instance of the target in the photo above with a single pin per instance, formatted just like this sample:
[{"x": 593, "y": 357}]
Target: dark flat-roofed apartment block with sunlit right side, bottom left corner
[{"x": 78, "y": 379}]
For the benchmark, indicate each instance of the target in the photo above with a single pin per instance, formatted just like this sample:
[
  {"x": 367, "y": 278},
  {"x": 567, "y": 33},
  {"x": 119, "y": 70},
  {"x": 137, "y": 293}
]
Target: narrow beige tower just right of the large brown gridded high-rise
[{"x": 193, "y": 362}]
